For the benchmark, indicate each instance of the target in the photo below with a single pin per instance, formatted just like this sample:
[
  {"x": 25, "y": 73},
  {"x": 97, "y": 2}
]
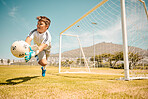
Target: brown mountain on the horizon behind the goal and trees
[{"x": 101, "y": 48}]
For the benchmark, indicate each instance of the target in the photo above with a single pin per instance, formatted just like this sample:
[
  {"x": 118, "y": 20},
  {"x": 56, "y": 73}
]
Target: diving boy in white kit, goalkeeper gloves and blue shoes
[{"x": 42, "y": 39}]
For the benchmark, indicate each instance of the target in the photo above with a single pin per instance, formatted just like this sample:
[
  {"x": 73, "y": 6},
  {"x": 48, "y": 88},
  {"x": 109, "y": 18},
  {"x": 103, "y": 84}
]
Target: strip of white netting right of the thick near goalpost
[{"x": 137, "y": 28}]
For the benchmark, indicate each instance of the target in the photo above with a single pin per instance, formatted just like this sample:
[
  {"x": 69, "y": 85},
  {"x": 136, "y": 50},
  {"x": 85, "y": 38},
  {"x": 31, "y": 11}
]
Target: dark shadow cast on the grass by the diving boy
[{"x": 19, "y": 80}]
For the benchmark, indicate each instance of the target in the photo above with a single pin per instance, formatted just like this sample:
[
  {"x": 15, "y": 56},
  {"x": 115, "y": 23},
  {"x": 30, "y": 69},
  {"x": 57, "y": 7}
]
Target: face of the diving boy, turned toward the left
[{"x": 41, "y": 27}]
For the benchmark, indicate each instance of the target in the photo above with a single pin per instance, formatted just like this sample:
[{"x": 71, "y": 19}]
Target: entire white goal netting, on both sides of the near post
[{"x": 100, "y": 34}]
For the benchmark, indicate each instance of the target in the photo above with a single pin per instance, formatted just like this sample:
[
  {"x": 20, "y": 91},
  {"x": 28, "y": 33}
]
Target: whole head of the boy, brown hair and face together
[{"x": 43, "y": 24}]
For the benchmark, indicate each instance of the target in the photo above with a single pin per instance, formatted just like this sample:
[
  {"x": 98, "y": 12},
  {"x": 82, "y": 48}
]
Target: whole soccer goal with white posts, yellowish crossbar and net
[{"x": 112, "y": 39}]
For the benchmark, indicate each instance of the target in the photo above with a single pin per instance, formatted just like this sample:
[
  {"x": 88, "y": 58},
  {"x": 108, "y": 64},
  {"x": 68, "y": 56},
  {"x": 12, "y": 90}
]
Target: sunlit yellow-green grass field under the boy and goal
[{"x": 21, "y": 82}]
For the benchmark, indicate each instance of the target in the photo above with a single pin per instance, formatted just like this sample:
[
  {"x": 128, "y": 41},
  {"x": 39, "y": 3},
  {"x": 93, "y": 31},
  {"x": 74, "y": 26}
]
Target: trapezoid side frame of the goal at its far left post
[{"x": 73, "y": 62}]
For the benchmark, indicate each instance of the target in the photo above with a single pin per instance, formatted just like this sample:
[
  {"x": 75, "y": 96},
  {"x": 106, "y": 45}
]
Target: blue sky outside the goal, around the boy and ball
[{"x": 18, "y": 18}]
